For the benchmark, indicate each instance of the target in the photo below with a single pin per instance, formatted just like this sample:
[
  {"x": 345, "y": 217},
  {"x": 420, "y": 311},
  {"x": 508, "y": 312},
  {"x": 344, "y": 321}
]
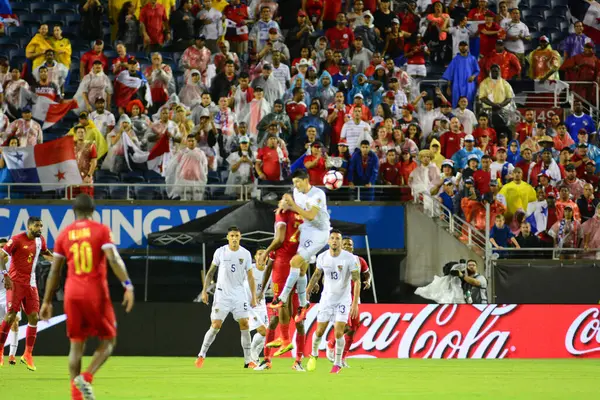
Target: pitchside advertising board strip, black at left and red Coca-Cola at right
[{"x": 386, "y": 331}]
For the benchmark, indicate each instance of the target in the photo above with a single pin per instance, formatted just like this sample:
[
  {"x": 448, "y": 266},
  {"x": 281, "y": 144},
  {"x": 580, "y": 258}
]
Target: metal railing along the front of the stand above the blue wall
[{"x": 214, "y": 192}]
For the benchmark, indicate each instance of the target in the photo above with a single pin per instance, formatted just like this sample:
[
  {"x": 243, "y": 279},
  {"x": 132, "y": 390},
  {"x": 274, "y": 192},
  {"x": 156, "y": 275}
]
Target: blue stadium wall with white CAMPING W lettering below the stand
[{"x": 131, "y": 223}]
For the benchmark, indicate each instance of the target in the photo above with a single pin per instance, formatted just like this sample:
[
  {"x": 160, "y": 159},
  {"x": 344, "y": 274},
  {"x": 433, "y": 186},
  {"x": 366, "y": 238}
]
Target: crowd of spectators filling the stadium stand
[{"x": 243, "y": 94}]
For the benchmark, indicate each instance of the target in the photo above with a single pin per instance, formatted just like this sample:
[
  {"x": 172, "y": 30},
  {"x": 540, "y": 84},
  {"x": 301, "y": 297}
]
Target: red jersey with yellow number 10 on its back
[{"x": 82, "y": 244}]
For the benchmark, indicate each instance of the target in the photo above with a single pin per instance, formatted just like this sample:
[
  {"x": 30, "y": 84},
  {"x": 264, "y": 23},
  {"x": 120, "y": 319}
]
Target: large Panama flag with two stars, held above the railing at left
[{"x": 47, "y": 163}]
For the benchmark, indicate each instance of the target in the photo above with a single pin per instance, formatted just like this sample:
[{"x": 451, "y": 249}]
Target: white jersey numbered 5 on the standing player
[{"x": 233, "y": 271}]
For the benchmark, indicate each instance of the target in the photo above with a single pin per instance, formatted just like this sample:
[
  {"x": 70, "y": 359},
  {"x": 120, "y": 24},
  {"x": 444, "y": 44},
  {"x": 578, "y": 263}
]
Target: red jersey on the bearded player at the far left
[{"x": 24, "y": 253}]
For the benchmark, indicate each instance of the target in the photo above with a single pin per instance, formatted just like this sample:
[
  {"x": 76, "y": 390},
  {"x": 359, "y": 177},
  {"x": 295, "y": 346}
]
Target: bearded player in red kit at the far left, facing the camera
[{"x": 24, "y": 250}]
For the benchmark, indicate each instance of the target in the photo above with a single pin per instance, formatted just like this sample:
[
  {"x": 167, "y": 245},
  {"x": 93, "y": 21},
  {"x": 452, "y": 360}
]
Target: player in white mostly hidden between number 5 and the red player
[{"x": 258, "y": 315}]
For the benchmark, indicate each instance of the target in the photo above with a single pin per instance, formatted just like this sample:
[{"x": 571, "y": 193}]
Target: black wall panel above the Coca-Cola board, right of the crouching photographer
[{"x": 547, "y": 283}]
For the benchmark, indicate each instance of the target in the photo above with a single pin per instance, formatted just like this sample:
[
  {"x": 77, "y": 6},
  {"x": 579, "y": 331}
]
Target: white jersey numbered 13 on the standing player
[{"x": 338, "y": 275}]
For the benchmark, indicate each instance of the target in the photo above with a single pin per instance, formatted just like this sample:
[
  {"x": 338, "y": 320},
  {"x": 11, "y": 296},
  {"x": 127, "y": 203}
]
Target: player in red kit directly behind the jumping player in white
[{"x": 281, "y": 250}]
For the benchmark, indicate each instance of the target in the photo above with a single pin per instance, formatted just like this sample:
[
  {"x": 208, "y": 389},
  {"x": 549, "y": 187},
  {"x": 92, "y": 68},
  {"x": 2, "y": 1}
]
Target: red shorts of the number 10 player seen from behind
[{"x": 89, "y": 318}]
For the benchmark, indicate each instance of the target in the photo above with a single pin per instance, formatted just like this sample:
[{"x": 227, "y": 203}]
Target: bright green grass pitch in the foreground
[{"x": 372, "y": 379}]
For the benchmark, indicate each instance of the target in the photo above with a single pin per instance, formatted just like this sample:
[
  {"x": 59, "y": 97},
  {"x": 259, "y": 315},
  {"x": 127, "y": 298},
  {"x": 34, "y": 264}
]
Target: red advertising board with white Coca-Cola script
[{"x": 472, "y": 331}]
